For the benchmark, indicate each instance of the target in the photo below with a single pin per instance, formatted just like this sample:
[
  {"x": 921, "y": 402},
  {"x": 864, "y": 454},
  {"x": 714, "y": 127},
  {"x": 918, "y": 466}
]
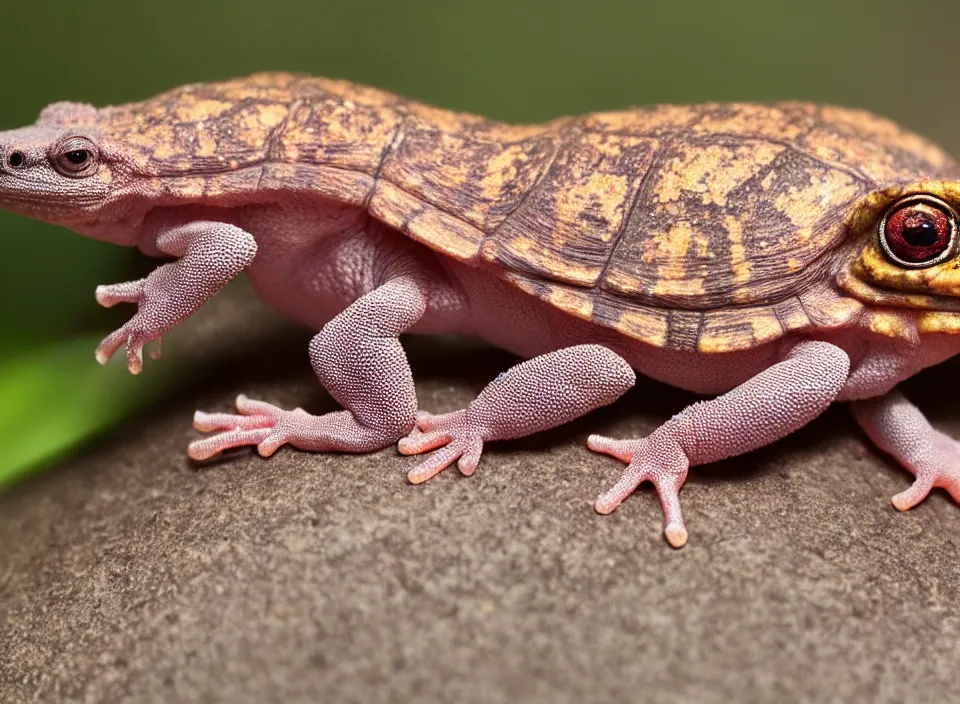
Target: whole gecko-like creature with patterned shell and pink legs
[{"x": 851, "y": 322}]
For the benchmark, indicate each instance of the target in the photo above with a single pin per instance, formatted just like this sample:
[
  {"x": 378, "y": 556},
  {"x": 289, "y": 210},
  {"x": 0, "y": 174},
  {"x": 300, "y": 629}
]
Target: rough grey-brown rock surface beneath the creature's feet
[{"x": 128, "y": 574}]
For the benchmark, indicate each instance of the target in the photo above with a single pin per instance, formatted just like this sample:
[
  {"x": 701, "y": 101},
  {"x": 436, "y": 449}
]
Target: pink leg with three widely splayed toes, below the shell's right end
[{"x": 771, "y": 405}]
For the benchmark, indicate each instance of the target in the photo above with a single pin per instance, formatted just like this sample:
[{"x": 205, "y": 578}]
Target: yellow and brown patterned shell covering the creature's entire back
[{"x": 697, "y": 228}]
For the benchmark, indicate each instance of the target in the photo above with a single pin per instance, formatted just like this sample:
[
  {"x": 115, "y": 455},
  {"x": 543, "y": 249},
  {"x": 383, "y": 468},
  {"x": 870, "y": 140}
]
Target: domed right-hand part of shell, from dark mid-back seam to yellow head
[{"x": 692, "y": 228}]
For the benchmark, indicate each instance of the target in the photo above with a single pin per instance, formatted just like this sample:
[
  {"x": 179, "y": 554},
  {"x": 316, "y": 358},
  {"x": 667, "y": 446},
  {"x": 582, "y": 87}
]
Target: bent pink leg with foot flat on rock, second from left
[{"x": 359, "y": 360}]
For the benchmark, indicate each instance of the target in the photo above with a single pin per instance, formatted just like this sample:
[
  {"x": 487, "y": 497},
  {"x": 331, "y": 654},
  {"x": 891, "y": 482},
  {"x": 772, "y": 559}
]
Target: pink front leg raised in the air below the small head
[{"x": 210, "y": 255}]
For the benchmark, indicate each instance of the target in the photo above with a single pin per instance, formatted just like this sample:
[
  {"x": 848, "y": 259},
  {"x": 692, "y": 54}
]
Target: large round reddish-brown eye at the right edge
[{"x": 919, "y": 231}]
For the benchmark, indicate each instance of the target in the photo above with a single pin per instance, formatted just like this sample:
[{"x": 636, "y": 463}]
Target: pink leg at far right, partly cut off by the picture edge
[{"x": 898, "y": 427}]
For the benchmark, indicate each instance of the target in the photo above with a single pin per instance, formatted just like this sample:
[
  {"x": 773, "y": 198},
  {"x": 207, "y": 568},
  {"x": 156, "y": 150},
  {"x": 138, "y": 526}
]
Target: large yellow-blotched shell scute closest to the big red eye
[{"x": 729, "y": 222}]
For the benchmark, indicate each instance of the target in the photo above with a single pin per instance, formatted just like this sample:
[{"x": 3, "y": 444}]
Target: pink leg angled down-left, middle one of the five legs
[{"x": 538, "y": 394}]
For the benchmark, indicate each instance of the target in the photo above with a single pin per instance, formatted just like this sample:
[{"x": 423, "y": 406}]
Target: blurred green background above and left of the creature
[{"x": 511, "y": 59}]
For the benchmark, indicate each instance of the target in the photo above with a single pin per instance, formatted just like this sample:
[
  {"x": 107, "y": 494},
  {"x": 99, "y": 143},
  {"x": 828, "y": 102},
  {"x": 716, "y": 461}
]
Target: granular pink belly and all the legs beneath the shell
[{"x": 362, "y": 284}]
